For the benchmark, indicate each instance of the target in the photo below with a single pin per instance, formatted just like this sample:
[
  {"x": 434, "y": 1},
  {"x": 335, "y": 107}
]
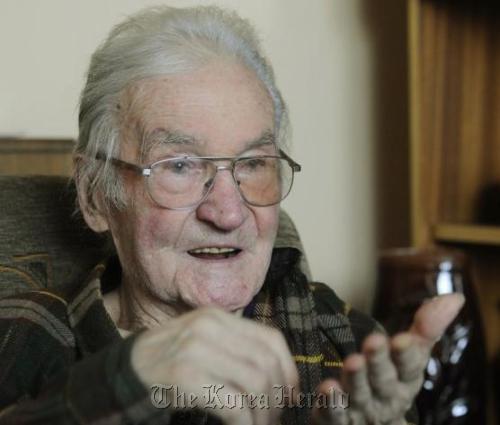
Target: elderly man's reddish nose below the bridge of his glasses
[{"x": 223, "y": 208}]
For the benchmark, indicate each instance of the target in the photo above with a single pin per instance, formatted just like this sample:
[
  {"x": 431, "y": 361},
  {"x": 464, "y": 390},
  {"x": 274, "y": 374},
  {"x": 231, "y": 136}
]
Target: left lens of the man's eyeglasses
[{"x": 180, "y": 182}]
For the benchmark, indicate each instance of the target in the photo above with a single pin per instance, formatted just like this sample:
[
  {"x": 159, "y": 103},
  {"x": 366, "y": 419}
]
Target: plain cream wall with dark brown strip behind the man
[{"x": 341, "y": 67}]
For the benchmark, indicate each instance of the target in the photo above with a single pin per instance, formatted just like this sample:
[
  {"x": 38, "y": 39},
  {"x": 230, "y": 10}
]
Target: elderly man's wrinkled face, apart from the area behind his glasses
[{"x": 219, "y": 110}]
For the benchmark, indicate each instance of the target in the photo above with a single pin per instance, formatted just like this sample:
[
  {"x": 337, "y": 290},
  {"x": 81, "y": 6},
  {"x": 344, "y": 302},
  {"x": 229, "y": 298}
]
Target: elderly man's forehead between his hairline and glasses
[{"x": 217, "y": 107}]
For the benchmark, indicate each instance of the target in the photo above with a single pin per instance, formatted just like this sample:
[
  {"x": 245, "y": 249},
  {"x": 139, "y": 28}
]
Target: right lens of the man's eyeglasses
[{"x": 263, "y": 181}]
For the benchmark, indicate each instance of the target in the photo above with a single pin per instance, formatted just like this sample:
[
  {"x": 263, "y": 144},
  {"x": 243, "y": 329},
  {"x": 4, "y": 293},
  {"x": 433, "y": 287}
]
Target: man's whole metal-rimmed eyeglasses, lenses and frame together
[{"x": 184, "y": 182}]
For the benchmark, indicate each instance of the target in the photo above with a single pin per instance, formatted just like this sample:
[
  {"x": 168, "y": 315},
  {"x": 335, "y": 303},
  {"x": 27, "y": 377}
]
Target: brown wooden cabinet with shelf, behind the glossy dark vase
[{"x": 454, "y": 55}]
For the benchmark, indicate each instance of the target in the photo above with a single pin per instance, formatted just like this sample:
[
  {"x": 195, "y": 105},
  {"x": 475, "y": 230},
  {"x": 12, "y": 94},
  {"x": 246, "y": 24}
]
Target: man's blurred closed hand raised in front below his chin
[{"x": 209, "y": 346}]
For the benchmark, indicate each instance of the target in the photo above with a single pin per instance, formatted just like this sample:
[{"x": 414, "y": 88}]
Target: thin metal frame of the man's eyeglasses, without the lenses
[{"x": 147, "y": 170}]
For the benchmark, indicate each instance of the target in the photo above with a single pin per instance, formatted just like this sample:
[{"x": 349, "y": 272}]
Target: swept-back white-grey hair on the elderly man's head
[{"x": 157, "y": 41}]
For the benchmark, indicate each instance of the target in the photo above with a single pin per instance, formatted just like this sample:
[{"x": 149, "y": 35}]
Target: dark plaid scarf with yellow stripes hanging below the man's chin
[{"x": 286, "y": 302}]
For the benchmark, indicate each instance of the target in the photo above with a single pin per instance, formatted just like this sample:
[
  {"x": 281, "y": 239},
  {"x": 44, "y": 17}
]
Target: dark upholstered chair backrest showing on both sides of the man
[{"x": 43, "y": 244}]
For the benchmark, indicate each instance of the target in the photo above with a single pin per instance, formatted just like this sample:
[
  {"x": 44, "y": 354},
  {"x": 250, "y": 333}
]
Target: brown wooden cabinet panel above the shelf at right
[{"x": 455, "y": 109}]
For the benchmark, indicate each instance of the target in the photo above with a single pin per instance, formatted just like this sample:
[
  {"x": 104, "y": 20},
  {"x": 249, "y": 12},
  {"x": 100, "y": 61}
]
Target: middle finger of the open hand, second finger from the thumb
[{"x": 382, "y": 373}]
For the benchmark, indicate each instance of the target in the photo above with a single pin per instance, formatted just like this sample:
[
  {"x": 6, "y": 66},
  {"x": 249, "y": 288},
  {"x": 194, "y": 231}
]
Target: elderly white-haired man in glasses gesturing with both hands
[{"x": 180, "y": 157}]
